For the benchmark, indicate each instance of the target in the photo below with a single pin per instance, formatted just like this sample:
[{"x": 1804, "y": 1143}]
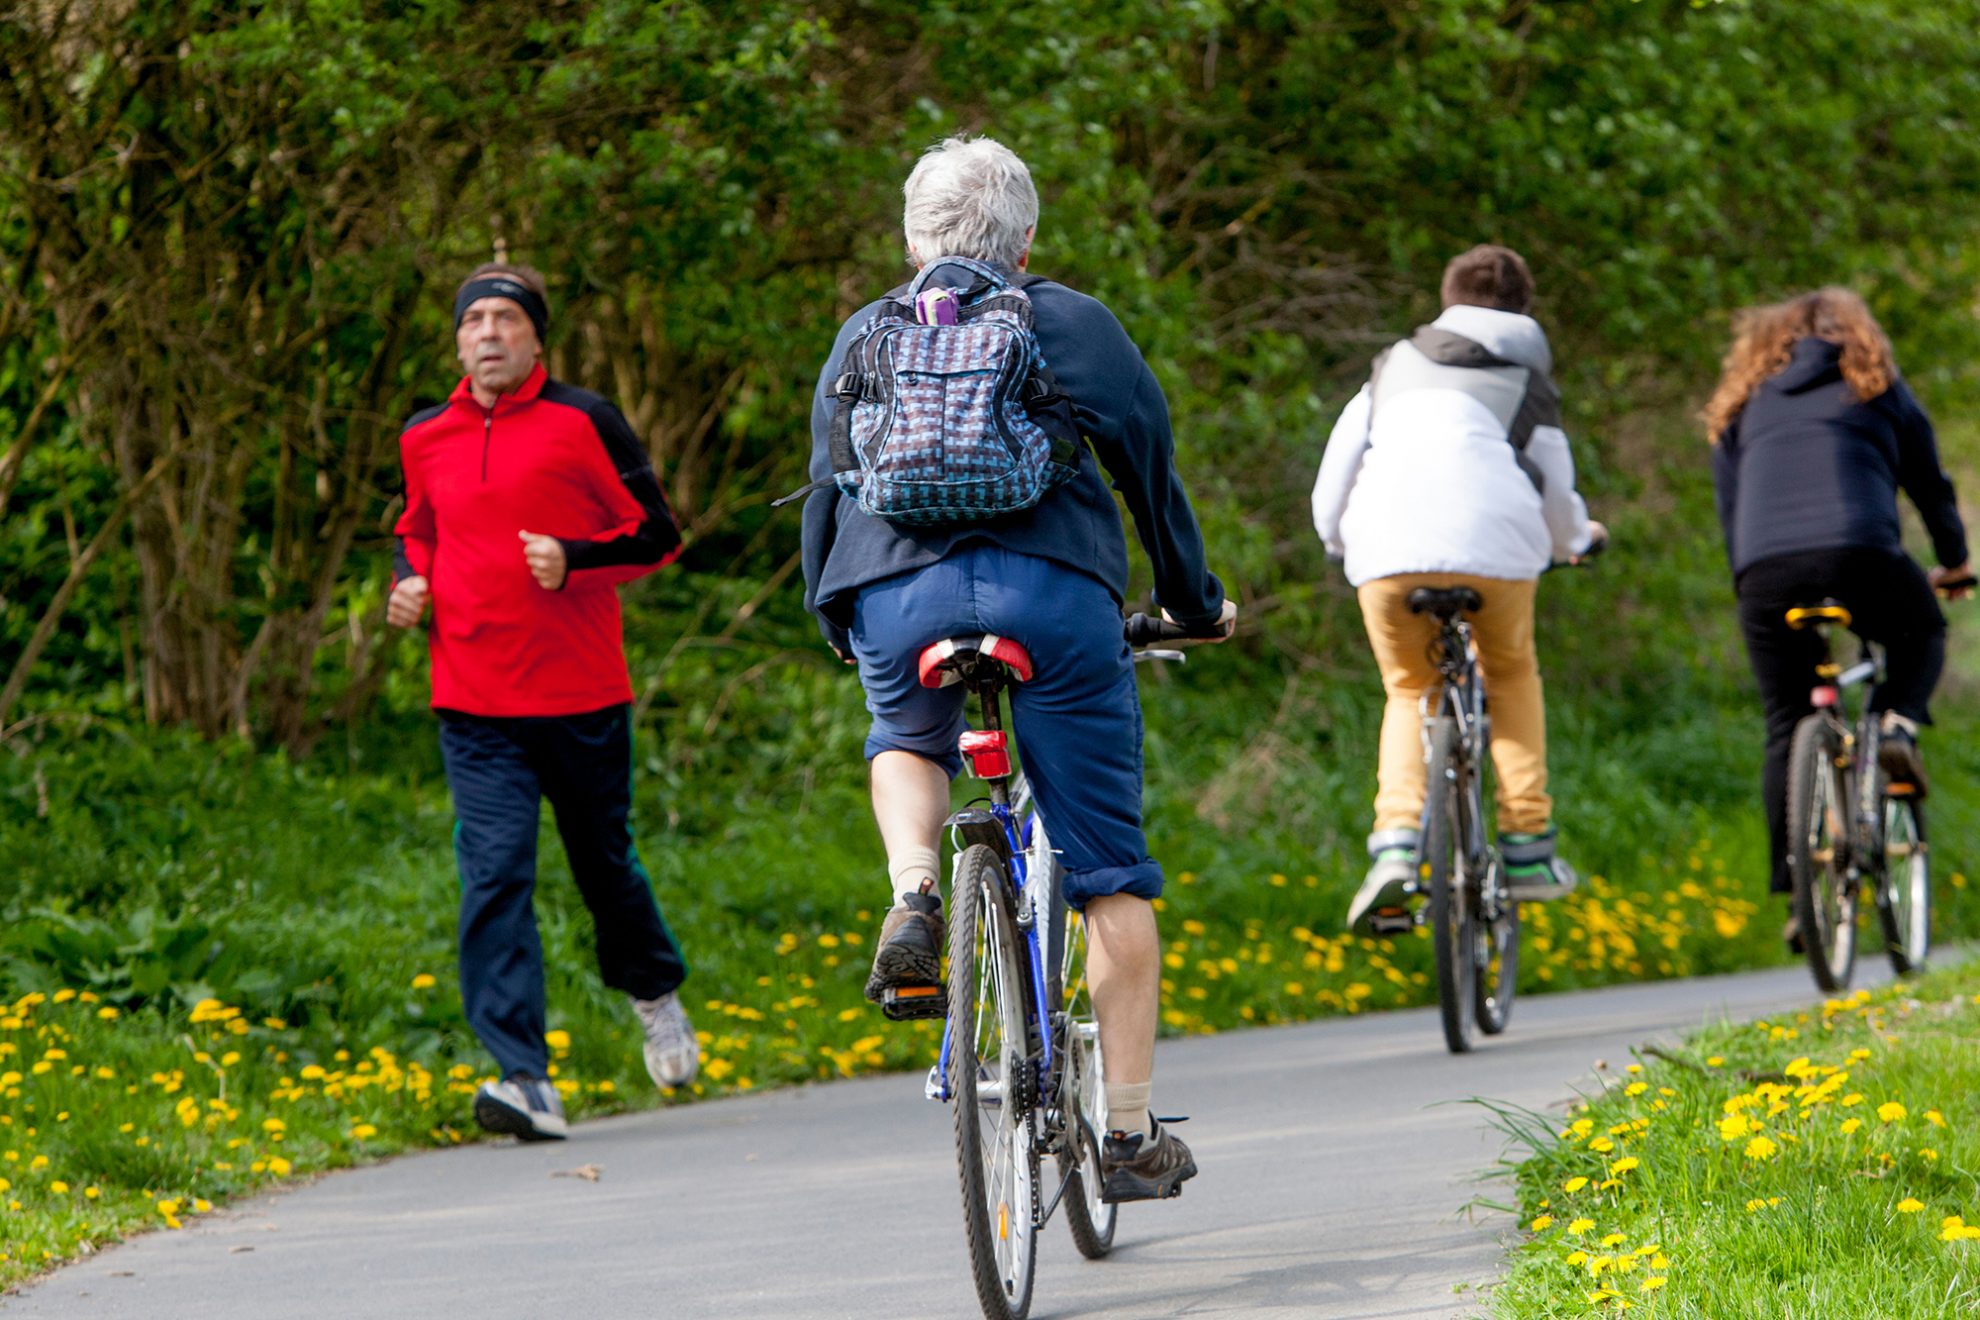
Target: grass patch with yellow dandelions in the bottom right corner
[{"x": 1827, "y": 1165}]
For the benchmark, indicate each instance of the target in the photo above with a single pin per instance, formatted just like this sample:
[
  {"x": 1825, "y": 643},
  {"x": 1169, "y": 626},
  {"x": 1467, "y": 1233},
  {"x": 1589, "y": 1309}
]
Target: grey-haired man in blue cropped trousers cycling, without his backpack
[{"x": 1052, "y": 579}]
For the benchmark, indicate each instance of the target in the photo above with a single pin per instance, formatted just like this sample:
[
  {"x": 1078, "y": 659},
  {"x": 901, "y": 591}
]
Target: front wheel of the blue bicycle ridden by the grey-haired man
[{"x": 1084, "y": 1078}]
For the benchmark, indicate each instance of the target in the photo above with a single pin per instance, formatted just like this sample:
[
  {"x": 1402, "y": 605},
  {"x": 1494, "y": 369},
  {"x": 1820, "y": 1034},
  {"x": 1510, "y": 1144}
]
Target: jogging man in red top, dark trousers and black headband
[{"x": 528, "y": 504}]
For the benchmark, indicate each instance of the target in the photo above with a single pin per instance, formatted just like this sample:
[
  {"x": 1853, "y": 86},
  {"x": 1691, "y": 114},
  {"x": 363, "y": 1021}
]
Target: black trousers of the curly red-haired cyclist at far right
[{"x": 1892, "y": 605}]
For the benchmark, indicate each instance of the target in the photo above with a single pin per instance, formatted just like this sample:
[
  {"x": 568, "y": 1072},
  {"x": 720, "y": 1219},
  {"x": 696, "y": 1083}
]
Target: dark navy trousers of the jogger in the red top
[{"x": 500, "y": 773}]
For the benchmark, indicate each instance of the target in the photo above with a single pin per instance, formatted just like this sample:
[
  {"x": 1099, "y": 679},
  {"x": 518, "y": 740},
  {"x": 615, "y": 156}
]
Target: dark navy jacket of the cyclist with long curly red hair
[{"x": 1809, "y": 466}]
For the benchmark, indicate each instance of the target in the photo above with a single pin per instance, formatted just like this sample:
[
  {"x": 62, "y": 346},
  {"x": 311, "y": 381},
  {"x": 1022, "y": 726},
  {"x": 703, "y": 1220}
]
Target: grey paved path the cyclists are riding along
[{"x": 1337, "y": 1161}]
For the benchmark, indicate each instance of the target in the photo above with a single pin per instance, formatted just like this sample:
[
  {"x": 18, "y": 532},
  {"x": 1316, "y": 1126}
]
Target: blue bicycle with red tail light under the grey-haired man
[{"x": 1021, "y": 1054}]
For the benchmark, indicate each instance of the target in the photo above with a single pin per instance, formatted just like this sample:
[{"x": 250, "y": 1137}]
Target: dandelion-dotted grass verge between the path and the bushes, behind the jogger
[{"x": 155, "y": 874}]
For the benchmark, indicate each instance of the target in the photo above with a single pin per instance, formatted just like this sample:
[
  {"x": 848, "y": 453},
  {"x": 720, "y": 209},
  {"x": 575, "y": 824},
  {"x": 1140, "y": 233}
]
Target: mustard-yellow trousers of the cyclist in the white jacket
[{"x": 1504, "y": 636}]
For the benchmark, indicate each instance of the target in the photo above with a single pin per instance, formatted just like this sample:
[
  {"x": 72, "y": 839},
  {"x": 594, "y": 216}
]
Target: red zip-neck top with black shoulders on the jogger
[{"x": 553, "y": 460}]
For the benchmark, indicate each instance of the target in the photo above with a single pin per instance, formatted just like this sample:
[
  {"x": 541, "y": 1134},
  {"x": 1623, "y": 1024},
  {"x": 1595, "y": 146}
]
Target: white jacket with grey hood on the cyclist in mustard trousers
[{"x": 1429, "y": 482}]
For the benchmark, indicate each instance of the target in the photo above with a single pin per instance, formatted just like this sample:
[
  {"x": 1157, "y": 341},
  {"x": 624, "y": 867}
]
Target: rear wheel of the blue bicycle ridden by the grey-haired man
[{"x": 991, "y": 1082}]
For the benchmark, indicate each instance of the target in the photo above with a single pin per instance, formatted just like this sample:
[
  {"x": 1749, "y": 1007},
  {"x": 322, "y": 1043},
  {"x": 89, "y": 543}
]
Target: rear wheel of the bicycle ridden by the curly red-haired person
[{"x": 1819, "y": 852}]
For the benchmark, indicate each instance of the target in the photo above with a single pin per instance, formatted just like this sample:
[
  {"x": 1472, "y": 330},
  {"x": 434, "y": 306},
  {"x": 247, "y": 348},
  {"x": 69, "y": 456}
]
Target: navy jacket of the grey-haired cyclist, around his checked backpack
[{"x": 1122, "y": 413}]
